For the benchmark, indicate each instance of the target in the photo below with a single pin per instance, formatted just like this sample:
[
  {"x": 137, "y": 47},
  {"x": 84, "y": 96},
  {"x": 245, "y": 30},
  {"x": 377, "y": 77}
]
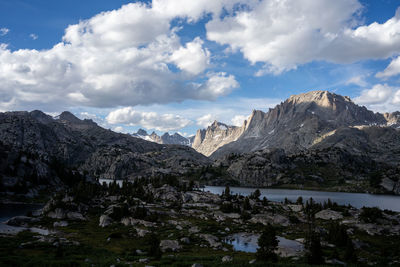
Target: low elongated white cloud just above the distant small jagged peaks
[{"x": 149, "y": 120}]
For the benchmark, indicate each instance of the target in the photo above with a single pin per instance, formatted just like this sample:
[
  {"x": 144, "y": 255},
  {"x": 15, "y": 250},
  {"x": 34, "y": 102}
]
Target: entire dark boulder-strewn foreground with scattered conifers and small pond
[{"x": 167, "y": 223}]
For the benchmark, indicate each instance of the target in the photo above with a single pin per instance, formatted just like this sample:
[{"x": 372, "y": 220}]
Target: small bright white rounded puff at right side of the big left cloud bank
[{"x": 192, "y": 58}]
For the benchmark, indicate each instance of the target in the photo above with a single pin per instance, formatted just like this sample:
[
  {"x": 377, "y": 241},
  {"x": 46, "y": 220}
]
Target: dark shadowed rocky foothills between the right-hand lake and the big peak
[{"x": 329, "y": 168}]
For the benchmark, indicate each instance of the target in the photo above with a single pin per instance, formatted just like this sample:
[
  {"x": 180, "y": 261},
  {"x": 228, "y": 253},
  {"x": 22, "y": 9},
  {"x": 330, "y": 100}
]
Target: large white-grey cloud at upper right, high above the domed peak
[{"x": 285, "y": 34}]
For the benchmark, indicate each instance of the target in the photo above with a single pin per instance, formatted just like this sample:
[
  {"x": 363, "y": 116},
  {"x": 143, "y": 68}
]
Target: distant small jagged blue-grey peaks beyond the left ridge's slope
[{"x": 166, "y": 138}]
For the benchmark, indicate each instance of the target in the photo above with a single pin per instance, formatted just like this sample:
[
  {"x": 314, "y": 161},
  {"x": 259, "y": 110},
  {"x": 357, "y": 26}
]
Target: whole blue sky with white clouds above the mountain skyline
[{"x": 178, "y": 65}]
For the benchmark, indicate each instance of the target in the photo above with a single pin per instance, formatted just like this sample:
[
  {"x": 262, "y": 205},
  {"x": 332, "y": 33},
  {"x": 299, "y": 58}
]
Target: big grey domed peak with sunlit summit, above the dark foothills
[{"x": 302, "y": 121}]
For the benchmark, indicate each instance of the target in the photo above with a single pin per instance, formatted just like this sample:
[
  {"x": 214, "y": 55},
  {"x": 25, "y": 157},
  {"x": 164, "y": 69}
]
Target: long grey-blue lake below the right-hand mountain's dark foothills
[{"x": 357, "y": 200}]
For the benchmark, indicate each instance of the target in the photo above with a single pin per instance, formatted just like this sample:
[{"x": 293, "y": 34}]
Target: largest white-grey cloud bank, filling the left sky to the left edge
[{"x": 116, "y": 58}]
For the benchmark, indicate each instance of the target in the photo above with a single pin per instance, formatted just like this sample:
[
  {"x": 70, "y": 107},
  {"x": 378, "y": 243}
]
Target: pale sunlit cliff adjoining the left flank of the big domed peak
[{"x": 218, "y": 134}]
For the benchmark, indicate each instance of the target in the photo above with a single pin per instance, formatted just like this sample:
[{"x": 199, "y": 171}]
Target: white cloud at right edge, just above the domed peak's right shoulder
[{"x": 381, "y": 97}]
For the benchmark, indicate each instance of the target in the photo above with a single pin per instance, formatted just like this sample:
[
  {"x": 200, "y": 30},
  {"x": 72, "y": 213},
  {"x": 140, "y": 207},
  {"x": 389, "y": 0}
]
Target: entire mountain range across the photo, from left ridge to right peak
[{"x": 313, "y": 140}]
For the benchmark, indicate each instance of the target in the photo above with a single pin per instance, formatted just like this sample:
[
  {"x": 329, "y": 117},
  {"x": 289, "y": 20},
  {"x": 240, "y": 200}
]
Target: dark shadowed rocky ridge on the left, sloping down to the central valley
[{"x": 40, "y": 150}]
